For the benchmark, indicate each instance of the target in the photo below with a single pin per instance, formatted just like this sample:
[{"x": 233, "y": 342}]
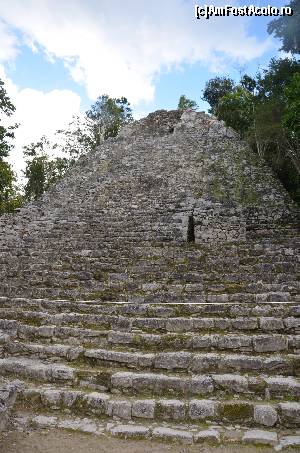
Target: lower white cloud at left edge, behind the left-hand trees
[{"x": 38, "y": 113}]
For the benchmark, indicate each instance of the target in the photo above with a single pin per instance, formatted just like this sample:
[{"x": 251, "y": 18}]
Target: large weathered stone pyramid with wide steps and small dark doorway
[{"x": 154, "y": 292}]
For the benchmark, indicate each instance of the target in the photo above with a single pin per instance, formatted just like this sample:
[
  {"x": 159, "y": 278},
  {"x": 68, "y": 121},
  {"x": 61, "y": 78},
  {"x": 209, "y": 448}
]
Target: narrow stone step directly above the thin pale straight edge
[{"x": 172, "y": 293}]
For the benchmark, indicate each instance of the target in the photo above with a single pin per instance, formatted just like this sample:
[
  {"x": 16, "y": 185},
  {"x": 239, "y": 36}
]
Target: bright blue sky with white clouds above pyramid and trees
[{"x": 57, "y": 57}]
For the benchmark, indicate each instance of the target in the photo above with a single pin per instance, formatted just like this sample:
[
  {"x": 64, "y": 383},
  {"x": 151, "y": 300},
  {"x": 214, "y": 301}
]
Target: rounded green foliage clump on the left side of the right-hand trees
[{"x": 236, "y": 109}]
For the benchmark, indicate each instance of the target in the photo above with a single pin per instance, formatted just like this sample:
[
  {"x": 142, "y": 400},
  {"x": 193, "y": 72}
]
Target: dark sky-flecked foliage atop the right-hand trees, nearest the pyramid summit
[{"x": 215, "y": 89}]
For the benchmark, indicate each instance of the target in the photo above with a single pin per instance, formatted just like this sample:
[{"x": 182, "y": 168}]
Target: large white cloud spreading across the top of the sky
[{"x": 119, "y": 47}]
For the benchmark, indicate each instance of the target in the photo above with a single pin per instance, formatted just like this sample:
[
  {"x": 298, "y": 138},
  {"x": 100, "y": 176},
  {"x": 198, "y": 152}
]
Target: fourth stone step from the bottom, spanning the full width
[{"x": 284, "y": 364}]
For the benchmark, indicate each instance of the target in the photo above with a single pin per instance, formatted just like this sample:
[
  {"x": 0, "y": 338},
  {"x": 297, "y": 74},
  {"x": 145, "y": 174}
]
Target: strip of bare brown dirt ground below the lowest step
[{"x": 67, "y": 442}]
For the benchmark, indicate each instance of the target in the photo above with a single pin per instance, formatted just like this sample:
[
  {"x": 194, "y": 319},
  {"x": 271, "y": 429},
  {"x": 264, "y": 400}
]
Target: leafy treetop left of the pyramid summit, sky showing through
[{"x": 108, "y": 115}]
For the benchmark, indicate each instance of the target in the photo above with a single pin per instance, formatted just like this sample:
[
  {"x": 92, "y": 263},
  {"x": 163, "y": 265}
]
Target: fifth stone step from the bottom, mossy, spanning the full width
[{"x": 251, "y": 343}]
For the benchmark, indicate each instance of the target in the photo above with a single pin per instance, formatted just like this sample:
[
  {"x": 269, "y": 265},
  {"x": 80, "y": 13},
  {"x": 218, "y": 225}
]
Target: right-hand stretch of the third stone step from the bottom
[{"x": 261, "y": 387}]
